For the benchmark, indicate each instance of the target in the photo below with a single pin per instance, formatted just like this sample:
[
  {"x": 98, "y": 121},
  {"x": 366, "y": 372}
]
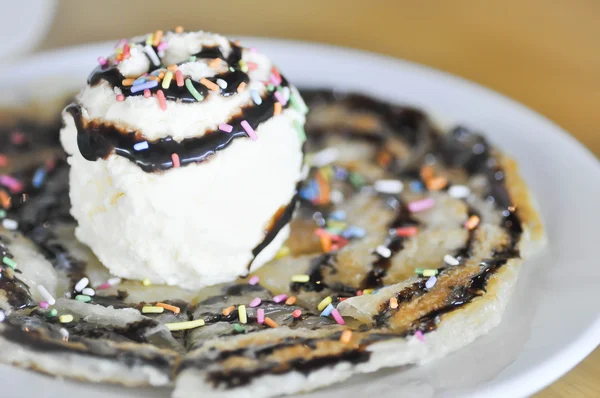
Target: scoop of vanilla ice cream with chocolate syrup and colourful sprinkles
[{"x": 197, "y": 224}]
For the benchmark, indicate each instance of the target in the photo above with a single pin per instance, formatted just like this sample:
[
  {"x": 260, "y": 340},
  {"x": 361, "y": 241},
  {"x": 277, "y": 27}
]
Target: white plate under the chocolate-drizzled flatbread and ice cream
[{"x": 553, "y": 320}]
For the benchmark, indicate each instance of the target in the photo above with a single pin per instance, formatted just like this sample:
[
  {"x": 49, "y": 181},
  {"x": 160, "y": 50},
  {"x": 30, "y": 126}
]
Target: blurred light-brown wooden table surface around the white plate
[{"x": 542, "y": 53}]
